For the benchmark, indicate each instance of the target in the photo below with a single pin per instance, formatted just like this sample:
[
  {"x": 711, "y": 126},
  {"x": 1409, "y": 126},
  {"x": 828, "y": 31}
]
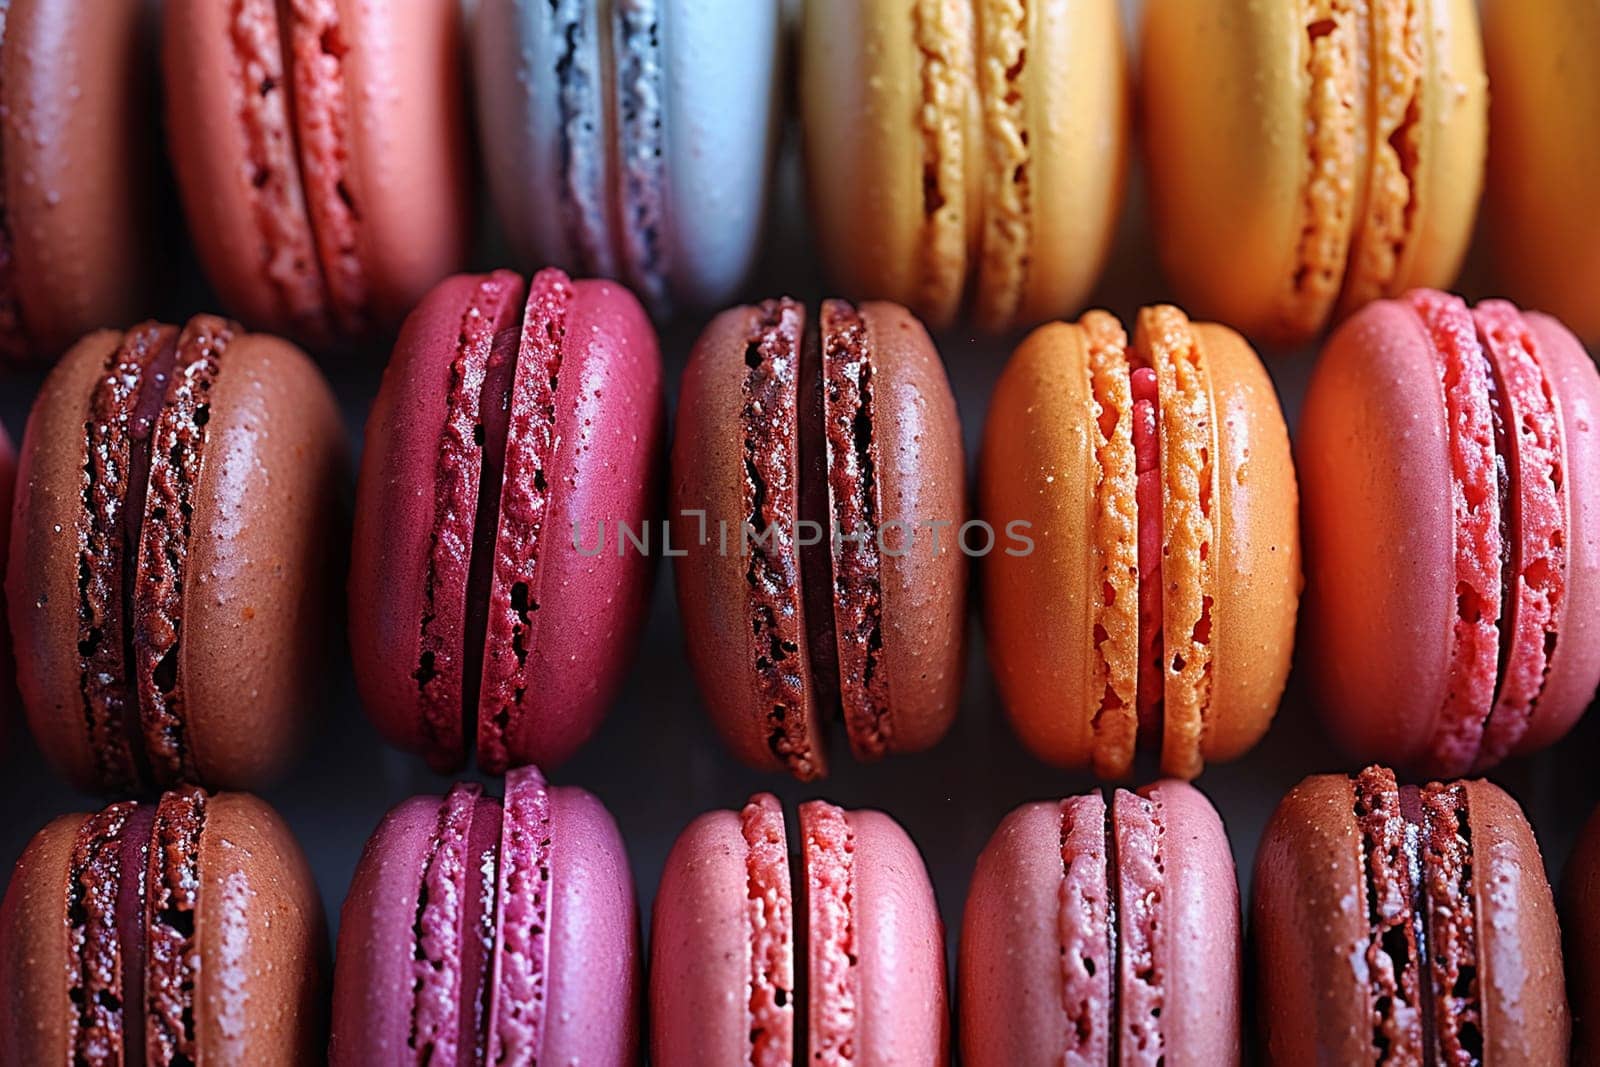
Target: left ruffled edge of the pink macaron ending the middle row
[{"x": 1474, "y": 653}]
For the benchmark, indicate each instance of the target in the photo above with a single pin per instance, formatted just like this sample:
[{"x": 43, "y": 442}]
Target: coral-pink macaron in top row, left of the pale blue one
[{"x": 321, "y": 150}]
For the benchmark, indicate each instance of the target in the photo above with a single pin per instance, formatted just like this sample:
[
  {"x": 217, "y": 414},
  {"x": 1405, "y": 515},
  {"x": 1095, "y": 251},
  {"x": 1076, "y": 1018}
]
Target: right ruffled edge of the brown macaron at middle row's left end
[{"x": 177, "y": 463}]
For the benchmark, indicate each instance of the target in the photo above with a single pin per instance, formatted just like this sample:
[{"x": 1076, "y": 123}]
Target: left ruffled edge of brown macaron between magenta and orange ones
[{"x": 770, "y": 425}]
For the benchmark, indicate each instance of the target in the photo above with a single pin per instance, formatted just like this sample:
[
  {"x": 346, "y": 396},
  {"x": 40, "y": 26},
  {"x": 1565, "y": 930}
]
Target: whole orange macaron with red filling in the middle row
[{"x": 1145, "y": 589}]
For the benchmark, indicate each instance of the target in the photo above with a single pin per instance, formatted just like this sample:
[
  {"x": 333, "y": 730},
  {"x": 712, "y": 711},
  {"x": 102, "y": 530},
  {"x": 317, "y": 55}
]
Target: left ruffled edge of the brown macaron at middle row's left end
[{"x": 118, "y": 428}]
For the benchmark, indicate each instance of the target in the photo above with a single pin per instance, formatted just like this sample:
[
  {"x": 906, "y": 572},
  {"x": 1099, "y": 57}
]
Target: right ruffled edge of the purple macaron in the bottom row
[{"x": 516, "y": 1023}]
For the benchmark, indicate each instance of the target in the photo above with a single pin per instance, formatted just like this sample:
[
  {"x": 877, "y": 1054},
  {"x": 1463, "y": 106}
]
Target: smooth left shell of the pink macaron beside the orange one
[{"x": 1374, "y": 462}]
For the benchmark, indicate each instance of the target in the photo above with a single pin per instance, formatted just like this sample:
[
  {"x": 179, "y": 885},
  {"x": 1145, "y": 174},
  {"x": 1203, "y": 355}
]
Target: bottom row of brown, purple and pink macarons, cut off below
[{"x": 1388, "y": 922}]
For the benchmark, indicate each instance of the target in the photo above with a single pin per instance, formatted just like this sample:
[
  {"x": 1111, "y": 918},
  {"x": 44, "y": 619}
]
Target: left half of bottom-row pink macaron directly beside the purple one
[{"x": 702, "y": 948}]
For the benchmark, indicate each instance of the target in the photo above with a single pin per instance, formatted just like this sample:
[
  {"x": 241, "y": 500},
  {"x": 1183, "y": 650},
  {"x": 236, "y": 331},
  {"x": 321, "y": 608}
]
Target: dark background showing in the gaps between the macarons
[{"x": 657, "y": 762}]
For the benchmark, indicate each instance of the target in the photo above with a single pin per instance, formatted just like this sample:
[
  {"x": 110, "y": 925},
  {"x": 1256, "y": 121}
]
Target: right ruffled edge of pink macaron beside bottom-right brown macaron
[{"x": 1142, "y": 929}]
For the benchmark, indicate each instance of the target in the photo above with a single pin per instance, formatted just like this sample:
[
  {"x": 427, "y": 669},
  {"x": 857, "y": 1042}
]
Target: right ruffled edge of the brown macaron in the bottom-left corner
[{"x": 174, "y": 951}]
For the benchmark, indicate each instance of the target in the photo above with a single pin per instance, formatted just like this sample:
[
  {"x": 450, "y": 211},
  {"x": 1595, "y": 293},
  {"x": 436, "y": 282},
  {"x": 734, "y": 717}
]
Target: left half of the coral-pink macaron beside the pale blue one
[{"x": 273, "y": 284}]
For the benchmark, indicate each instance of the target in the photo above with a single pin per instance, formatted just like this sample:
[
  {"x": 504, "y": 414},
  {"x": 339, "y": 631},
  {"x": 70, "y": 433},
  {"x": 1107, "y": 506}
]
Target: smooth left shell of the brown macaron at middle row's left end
[{"x": 42, "y": 593}]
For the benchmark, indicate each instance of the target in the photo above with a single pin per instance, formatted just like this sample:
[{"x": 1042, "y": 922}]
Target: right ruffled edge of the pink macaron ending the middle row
[{"x": 1537, "y": 578}]
